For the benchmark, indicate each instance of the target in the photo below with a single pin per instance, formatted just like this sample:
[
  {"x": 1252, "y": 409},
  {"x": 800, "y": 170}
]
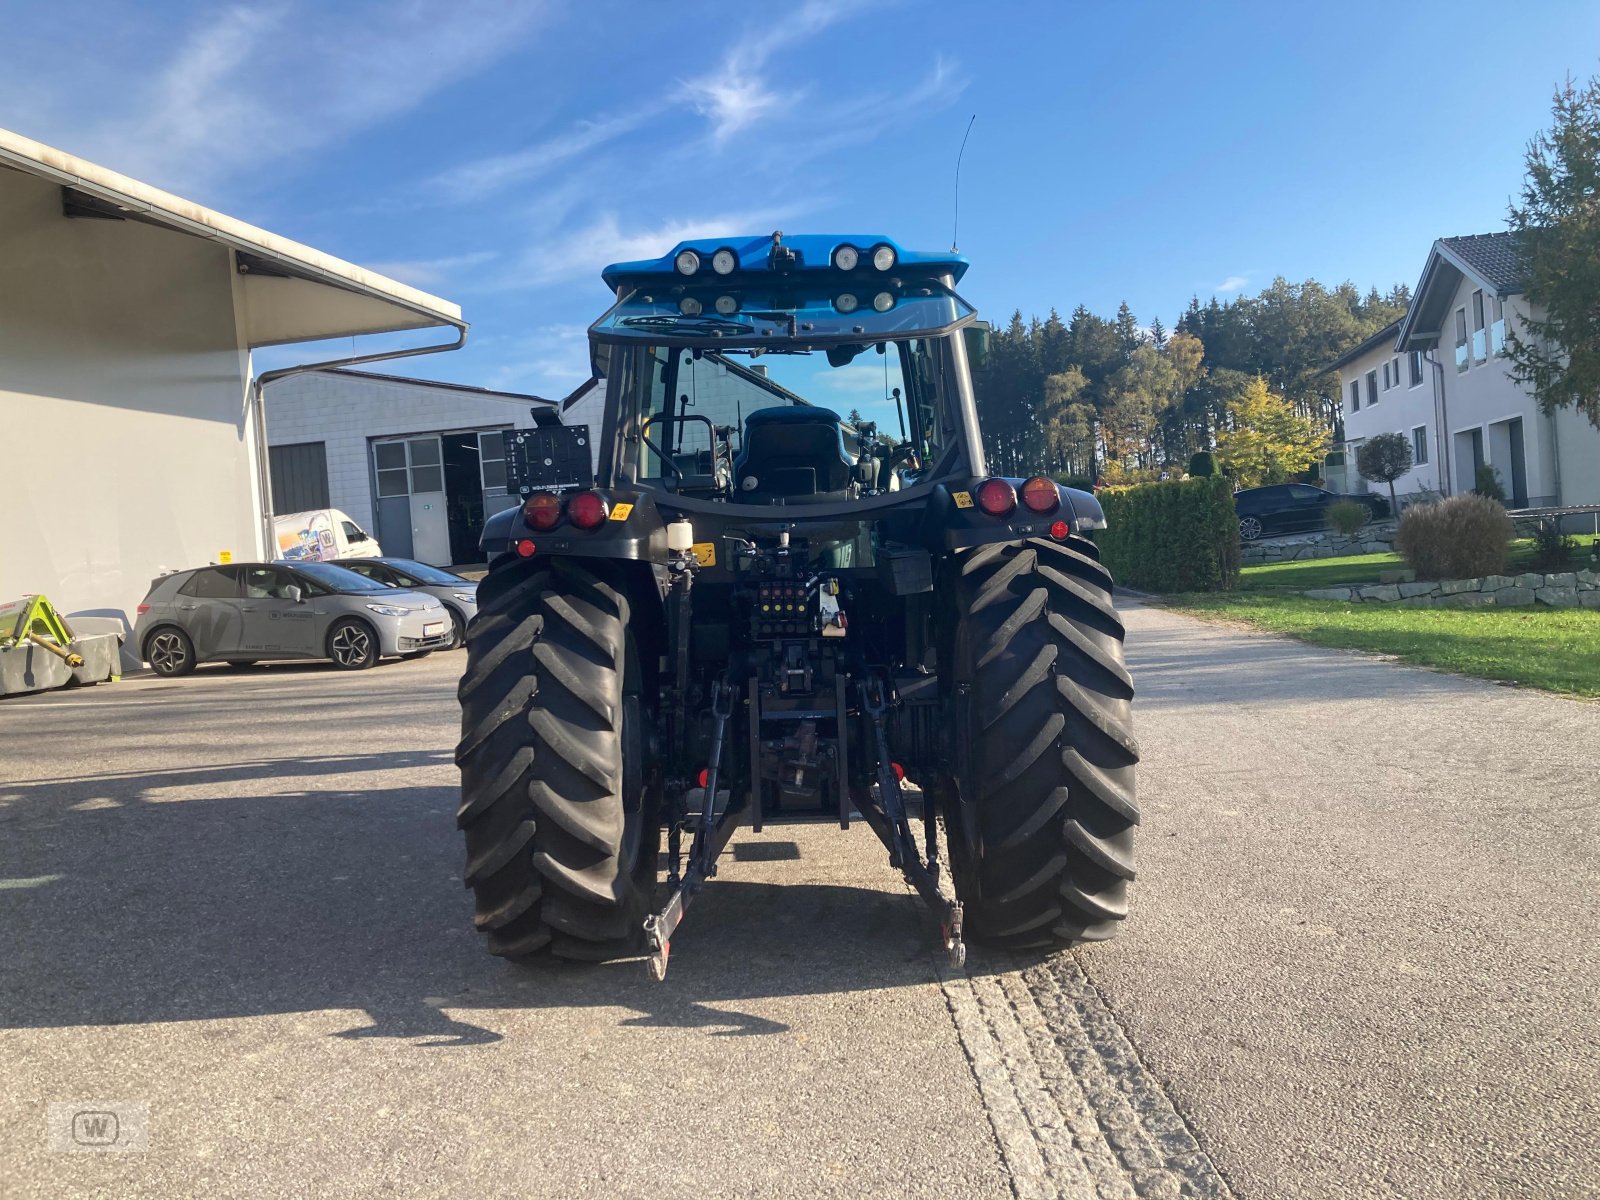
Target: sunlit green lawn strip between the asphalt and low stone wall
[{"x": 1554, "y": 649}]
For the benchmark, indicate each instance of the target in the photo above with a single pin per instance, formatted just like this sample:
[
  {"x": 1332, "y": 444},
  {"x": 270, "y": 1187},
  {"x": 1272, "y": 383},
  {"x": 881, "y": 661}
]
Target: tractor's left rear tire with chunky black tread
[{"x": 562, "y": 836}]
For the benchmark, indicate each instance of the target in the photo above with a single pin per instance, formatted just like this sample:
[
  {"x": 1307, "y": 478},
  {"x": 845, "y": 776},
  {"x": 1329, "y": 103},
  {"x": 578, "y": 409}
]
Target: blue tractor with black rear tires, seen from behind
[{"x": 730, "y": 606}]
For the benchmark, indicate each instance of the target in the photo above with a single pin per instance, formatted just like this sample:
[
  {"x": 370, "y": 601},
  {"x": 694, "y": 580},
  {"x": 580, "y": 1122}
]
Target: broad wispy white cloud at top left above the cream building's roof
[{"x": 263, "y": 84}]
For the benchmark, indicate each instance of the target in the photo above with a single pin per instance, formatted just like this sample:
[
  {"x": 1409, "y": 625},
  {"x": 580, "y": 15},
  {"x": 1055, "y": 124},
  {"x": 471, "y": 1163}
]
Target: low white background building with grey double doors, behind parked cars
[{"x": 420, "y": 465}]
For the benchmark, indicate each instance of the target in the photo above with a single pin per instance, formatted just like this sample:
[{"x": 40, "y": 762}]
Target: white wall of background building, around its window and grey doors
[{"x": 348, "y": 412}]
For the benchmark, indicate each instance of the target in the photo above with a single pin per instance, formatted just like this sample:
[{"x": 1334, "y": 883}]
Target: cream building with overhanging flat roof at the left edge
[{"x": 127, "y": 324}]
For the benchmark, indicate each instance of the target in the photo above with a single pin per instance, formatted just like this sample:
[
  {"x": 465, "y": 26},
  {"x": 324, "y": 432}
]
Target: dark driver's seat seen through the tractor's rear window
[{"x": 794, "y": 454}]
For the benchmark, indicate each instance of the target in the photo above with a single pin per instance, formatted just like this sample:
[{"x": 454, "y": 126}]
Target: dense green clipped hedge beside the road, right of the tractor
[{"x": 1178, "y": 537}]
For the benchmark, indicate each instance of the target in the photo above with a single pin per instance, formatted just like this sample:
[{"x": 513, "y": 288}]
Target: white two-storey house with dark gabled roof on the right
[{"x": 1441, "y": 378}]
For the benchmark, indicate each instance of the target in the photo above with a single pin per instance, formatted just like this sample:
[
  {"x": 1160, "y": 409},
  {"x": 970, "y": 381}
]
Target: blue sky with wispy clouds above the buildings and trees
[{"x": 498, "y": 154}]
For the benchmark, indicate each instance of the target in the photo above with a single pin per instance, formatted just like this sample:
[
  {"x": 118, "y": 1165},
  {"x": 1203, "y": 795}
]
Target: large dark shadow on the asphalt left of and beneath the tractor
[{"x": 132, "y": 898}]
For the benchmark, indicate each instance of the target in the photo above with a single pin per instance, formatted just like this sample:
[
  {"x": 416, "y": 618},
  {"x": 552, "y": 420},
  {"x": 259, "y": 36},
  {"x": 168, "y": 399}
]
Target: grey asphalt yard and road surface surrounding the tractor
[{"x": 1362, "y": 962}]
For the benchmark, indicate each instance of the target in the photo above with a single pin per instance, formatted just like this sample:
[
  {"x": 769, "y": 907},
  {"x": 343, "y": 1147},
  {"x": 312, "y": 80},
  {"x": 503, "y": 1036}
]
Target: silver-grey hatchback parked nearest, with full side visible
[{"x": 247, "y": 612}]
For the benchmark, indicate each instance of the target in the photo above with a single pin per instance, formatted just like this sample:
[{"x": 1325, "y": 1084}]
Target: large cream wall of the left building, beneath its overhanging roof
[{"x": 124, "y": 401}]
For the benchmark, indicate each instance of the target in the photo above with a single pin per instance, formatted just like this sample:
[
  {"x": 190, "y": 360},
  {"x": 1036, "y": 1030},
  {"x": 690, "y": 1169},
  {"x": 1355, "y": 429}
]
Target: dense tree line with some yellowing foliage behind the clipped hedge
[{"x": 1108, "y": 398}]
